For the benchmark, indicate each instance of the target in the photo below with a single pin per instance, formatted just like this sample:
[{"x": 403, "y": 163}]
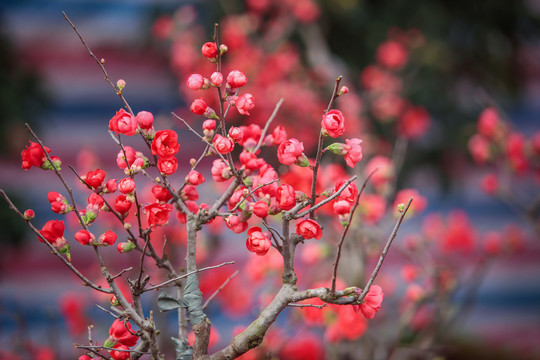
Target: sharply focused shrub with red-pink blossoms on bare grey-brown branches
[{"x": 253, "y": 191}]
